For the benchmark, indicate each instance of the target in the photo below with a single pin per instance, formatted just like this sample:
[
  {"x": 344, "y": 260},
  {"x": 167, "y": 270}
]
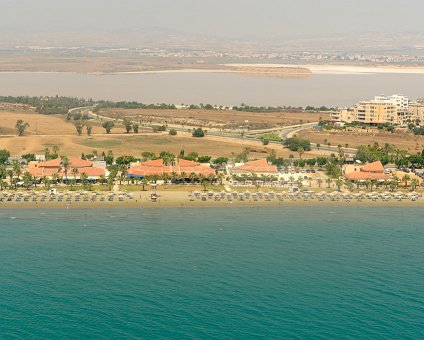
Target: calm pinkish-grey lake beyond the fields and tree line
[{"x": 215, "y": 88}]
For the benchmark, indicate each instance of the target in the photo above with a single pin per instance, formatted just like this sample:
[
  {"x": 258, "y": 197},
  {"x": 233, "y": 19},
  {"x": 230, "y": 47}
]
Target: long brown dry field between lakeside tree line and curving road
[{"x": 218, "y": 116}]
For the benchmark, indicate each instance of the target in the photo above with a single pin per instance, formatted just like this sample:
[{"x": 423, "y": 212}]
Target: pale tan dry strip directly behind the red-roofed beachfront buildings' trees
[{"x": 73, "y": 145}]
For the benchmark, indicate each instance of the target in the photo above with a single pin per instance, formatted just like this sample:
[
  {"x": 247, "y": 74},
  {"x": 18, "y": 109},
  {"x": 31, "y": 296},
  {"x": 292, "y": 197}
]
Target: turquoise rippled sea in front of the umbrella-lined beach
[{"x": 298, "y": 272}]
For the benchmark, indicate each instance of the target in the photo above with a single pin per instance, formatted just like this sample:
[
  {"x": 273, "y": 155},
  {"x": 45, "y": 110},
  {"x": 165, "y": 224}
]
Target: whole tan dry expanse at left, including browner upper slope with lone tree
[{"x": 55, "y": 130}]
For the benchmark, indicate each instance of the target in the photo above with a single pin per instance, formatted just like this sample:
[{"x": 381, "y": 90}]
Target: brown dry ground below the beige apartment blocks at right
[{"x": 407, "y": 141}]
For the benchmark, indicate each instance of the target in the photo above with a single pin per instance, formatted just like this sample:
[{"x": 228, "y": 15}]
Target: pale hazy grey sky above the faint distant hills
[{"x": 214, "y": 18}]
